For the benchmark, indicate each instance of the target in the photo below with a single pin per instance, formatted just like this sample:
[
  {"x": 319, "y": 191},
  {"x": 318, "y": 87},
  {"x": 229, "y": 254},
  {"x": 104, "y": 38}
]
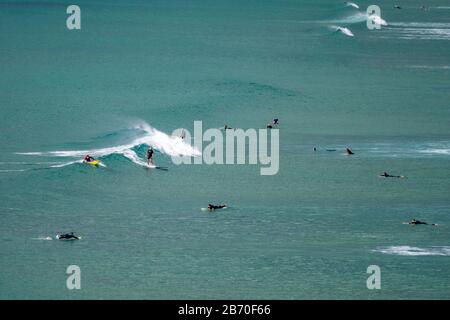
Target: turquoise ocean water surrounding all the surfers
[{"x": 309, "y": 232}]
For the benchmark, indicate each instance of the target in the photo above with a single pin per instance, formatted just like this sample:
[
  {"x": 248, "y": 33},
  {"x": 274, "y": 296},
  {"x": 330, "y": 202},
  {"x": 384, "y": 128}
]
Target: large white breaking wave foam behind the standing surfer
[{"x": 147, "y": 135}]
